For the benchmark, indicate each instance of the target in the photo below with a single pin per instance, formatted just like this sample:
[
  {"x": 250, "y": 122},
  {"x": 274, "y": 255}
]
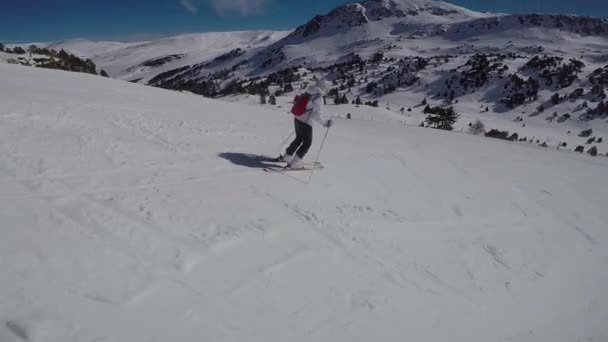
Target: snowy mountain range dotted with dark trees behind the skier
[{"x": 528, "y": 74}]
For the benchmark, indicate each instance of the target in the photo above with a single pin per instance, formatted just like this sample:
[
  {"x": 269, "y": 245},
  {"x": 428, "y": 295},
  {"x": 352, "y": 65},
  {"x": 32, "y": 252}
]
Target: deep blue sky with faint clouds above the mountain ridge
[{"x": 45, "y": 20}]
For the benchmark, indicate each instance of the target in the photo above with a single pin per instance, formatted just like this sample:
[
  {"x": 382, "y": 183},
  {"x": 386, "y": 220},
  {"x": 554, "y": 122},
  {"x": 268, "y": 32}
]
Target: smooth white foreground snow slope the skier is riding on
[{"x": 130, "y": 213}]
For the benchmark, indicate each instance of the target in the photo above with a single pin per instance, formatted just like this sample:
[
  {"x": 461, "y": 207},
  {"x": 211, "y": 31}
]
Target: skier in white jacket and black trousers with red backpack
[{"x": 303, "y": 124}]
